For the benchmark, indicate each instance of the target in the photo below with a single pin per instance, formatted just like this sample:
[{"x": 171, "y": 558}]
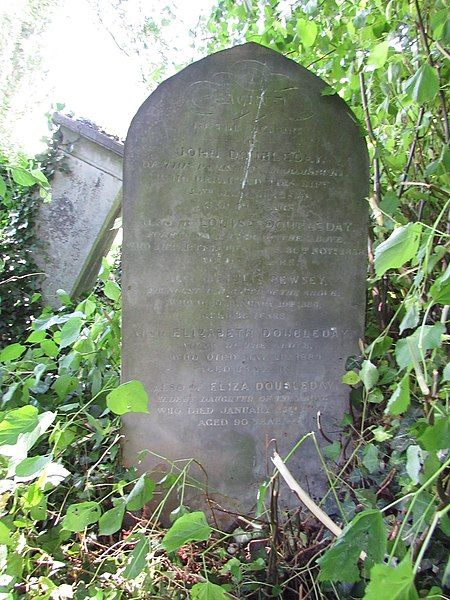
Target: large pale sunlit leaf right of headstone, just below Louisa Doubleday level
[{"x": 401, "y": 246}]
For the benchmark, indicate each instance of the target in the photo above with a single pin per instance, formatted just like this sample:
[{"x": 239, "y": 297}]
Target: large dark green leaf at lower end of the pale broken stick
[{"x": 365, "y": 532}]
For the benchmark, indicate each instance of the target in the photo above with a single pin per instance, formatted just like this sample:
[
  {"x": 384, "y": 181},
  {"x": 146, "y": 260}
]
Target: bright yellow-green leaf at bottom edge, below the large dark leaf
[{"x": 387, "y": 583}]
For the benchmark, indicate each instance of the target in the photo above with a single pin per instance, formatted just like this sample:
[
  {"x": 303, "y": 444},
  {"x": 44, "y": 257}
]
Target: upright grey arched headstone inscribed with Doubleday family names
[{"x": 243, "y": 267}]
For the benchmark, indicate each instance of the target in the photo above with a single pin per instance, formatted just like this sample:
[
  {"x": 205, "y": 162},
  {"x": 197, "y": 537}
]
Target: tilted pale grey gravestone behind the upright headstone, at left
[{"x": 74, "y": 230}]
